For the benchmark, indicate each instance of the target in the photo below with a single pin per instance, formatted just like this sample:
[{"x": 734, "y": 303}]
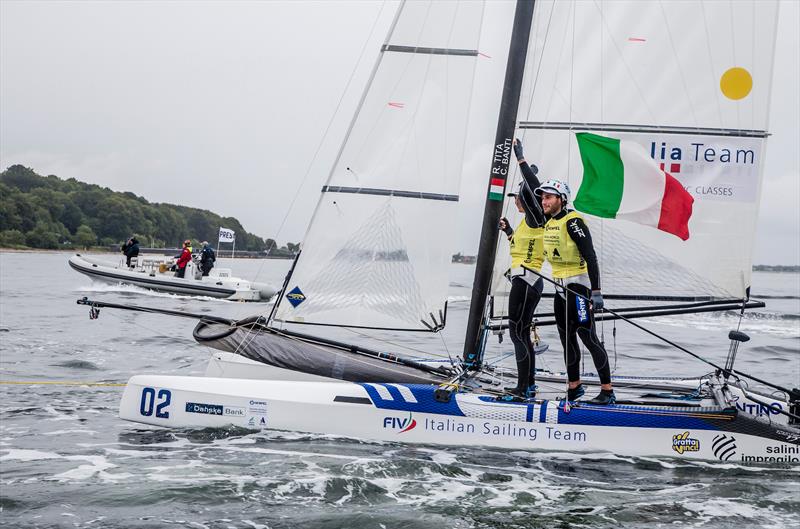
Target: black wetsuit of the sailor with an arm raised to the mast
[{"x": 524, "y": 297}]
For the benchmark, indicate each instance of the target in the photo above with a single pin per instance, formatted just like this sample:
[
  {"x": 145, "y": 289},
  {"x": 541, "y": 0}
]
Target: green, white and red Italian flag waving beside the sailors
[{"x": 621, "y": 181}]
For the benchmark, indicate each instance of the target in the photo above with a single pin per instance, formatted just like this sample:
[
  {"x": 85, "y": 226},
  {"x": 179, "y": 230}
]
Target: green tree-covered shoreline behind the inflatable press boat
[{"x": 51, "y": 213}]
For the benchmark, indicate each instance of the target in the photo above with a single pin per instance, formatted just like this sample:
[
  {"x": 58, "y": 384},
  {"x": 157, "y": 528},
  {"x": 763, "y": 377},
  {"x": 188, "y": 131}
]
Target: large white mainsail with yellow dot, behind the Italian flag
[{"x": 689, "y": 82}]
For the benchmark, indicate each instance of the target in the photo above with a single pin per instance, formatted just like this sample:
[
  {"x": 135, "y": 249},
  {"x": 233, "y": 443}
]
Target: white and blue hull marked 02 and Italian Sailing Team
[{"x": 410, "y": 414}]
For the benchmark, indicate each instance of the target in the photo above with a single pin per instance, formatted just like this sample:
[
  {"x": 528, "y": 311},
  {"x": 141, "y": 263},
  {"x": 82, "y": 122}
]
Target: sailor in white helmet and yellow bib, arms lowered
[{"x": 568, "y": 247}]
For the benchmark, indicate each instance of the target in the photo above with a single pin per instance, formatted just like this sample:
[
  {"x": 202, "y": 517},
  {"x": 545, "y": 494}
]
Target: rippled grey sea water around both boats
[{"x": 67, "y": 460}]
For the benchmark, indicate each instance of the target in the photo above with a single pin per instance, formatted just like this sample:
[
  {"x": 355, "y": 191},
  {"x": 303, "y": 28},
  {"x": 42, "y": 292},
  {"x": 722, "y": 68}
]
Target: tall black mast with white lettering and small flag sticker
[{"x": 512, "y": 86}]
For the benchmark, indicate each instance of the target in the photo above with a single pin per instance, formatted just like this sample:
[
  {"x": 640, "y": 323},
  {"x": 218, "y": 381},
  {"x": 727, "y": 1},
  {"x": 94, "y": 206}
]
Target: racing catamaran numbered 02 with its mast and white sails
[{"x": 687, "y": 83}]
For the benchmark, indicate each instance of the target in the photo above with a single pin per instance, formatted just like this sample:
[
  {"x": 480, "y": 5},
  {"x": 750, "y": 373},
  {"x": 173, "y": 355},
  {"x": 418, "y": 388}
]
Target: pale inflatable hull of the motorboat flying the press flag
[{"x": 231, "y": 288}]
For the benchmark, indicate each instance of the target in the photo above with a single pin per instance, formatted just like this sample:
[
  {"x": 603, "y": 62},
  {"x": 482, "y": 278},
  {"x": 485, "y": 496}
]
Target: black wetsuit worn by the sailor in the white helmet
[{"x": 574, "y": 316}]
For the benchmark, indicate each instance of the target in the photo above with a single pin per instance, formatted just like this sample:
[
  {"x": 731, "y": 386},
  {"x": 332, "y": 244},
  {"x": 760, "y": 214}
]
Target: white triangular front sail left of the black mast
[{"x": 377, "y": 251}]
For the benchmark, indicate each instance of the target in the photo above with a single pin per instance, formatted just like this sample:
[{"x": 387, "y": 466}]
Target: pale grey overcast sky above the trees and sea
[{"x": 223, "y": 105}]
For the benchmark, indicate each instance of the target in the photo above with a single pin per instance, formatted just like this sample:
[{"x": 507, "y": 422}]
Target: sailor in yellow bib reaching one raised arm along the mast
[{"x": 526, "y": 287}]
